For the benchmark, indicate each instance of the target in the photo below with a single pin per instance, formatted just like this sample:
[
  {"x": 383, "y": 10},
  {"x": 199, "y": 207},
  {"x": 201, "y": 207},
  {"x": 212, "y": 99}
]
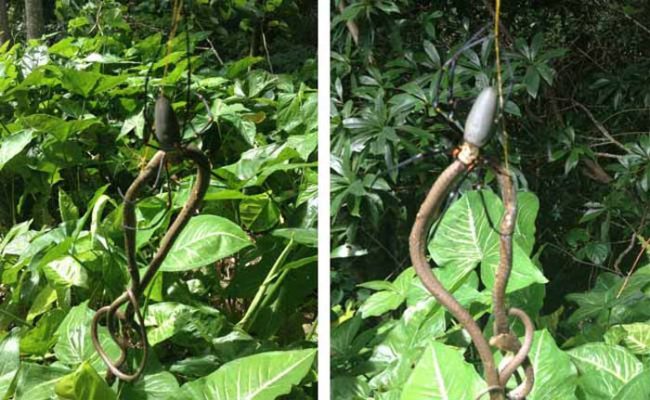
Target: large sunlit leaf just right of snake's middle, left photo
[{"x": 205, "y": 239}]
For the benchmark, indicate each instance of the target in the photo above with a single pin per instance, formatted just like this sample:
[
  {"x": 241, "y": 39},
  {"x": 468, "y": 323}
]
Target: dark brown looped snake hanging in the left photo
[{"x": 138, "y": 284}]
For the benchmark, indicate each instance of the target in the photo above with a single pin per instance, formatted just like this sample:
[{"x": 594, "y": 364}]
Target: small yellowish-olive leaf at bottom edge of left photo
[{"x": 84, "y": 384}]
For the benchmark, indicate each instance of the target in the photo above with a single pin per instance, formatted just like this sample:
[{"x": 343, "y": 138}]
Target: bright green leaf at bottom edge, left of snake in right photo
[{"x": 442, "y": 373}]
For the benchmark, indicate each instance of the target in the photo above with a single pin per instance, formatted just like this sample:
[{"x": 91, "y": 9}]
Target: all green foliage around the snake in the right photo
[{"x": 579, "y": 145}]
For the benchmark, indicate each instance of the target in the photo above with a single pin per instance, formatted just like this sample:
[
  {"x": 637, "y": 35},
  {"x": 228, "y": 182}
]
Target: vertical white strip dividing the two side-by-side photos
[{"x": 323, "y": 200}]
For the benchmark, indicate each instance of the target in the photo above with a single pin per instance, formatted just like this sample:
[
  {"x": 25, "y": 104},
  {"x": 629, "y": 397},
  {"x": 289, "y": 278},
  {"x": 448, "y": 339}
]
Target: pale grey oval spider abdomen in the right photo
[{"x": 481, "y": 117}]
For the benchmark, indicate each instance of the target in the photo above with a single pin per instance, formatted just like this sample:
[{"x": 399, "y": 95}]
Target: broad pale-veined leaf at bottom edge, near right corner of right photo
[{"x": 604, "y": 369}]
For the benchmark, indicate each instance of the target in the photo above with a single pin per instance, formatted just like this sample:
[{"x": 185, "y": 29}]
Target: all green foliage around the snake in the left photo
[{"x": 233, "y": 309}]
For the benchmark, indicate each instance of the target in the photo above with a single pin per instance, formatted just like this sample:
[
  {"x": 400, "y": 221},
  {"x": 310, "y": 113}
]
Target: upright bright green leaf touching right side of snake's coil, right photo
[{"x": 555, "y": 375}]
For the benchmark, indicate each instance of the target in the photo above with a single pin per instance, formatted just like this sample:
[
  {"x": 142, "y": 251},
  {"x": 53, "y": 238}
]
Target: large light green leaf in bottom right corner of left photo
[{"x": 262, "y": 376}]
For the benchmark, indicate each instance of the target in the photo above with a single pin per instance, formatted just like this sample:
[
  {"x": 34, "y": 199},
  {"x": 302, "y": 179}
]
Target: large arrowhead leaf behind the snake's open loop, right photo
[{"x": 465, "y": 239}]
